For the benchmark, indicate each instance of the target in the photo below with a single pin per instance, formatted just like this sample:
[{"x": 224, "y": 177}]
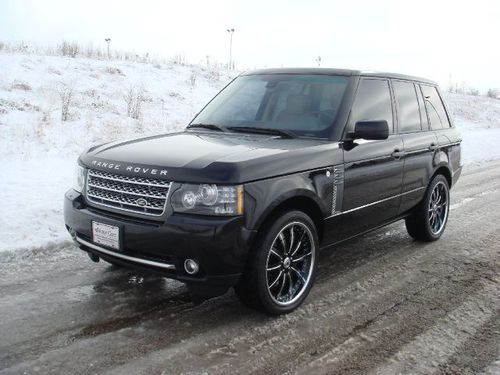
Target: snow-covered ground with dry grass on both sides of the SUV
[{"x": 38, "y": 150}]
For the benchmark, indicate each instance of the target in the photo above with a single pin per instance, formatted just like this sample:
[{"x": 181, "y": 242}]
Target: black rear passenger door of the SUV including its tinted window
[{"x": 419, "y": 142}]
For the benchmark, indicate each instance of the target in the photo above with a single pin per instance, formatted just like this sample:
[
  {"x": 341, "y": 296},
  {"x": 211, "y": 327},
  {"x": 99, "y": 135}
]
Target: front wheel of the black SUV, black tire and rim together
[{"x": 284, "y": 258}]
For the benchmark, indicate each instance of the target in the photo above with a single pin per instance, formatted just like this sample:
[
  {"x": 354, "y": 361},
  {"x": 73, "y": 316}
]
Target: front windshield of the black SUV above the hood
[{"x": 306, "y": 105}]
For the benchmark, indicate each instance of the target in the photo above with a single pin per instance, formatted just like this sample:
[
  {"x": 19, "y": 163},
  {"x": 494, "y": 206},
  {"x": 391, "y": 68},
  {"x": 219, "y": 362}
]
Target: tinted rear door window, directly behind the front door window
[{"x": 406, "y": 107}]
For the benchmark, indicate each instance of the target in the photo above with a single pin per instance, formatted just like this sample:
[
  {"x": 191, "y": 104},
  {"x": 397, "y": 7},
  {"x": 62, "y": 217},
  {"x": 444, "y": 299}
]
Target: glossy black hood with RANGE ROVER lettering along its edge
[{"x": 210, "y": 157}]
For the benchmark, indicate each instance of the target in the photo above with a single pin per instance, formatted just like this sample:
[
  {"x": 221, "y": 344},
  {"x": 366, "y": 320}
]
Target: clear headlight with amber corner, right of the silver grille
[{"x": 208, "y": 199}]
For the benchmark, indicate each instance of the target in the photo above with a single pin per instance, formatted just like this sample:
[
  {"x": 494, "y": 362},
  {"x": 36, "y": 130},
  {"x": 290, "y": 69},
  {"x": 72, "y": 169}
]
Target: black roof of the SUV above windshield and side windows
[{"x": 342, "y": 72}]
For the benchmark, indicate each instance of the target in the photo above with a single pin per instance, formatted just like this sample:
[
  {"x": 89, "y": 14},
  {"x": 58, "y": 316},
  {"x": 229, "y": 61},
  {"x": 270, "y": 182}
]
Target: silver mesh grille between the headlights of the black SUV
[{"x": 141, "y": 195}]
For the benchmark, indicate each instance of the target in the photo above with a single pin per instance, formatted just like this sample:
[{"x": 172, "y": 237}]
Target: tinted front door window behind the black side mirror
[{"x": 373, "y": 102}]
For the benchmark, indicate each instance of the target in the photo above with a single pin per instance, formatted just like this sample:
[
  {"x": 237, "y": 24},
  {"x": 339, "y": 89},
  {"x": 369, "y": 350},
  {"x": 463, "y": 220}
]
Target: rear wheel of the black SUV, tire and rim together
[{"x": 429, "y": 218}]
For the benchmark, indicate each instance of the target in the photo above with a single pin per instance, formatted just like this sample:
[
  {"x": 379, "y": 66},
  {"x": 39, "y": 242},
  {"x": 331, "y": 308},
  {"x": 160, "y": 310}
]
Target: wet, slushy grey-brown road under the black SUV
[{"x": 382, "y": 304}]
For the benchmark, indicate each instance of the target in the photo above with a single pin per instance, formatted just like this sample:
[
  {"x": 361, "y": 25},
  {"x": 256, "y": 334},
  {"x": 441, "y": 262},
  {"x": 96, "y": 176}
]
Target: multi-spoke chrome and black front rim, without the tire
[{"x": 290, "y": 263}]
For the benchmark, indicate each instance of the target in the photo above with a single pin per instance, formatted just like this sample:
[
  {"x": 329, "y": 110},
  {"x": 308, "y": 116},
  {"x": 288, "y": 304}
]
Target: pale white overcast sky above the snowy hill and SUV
[{"x": 431, "y": 38}]
